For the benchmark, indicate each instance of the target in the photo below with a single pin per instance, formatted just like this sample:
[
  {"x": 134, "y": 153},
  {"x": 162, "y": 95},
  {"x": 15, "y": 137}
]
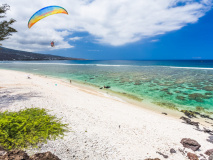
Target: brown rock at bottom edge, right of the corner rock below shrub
[{"x": 44, "y": 156}]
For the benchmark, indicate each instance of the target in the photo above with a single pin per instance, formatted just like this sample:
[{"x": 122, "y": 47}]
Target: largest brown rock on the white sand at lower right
[{"x": 190, "y": 143}]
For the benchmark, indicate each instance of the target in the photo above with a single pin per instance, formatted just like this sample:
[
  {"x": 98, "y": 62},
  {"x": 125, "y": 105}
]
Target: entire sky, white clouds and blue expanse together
[{"x": 134, "y": 30}]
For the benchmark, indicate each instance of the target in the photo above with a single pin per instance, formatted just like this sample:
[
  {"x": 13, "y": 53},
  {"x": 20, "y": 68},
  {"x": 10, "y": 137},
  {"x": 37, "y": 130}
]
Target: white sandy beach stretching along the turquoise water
[{"x": 103, "y": 127}]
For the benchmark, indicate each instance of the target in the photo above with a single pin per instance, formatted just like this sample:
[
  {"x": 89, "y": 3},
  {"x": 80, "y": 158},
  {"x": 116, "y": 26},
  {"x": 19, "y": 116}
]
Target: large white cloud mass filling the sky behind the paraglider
[{"x": 112, "y": 22}]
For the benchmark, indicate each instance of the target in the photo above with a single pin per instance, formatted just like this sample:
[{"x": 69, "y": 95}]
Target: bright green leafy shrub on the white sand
[{"x": 28, "y": 127}]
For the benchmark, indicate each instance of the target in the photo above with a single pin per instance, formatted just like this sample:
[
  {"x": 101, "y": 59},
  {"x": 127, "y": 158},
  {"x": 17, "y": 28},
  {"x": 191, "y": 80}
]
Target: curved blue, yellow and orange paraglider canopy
[{"x": 44, "y": 12}]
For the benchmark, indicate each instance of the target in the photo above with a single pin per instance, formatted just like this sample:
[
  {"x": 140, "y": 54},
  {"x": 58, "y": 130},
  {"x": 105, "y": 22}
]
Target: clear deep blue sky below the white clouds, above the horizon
[{"x": 194, "y": 41}]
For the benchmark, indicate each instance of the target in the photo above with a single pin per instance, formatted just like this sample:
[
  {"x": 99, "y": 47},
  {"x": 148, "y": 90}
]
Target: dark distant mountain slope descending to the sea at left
[{"x": 16, "y": 55}]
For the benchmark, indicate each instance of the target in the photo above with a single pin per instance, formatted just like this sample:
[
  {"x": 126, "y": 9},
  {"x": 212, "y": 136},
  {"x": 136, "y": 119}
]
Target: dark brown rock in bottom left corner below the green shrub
[{"x": 16, "y": 155}]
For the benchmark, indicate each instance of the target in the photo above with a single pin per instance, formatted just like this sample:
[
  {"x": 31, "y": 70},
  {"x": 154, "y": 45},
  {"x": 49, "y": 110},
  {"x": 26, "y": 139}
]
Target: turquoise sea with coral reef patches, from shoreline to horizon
[{"x": 184, "y": 84}]
